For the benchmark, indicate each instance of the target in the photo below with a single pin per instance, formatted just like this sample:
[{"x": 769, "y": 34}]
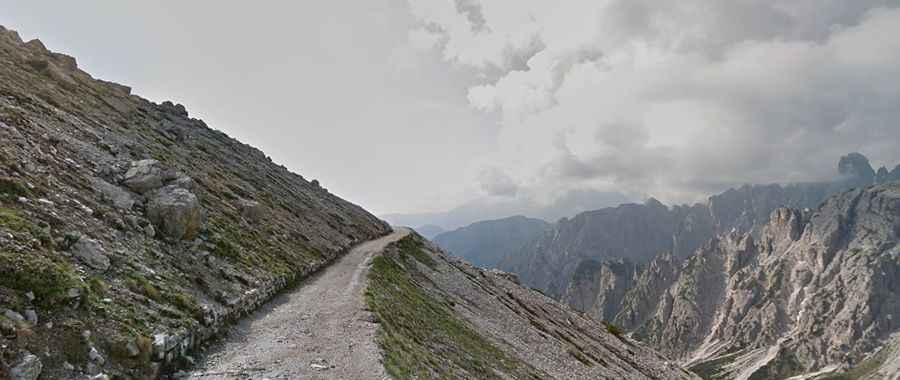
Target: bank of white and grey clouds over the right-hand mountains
[{"x": 676, "y": 99}]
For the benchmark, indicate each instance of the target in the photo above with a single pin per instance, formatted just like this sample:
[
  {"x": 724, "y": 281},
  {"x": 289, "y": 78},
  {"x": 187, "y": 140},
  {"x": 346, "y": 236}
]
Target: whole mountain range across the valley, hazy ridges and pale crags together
[{"x": 759, "y": 282}]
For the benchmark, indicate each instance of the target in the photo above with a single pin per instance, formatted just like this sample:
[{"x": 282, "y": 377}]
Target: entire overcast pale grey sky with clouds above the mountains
[{"x": 421, "y": 105}]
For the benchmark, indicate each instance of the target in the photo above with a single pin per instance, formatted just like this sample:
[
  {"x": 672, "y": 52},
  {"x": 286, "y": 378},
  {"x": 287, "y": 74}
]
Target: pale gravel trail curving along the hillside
[{"x": 320, "y": 330}]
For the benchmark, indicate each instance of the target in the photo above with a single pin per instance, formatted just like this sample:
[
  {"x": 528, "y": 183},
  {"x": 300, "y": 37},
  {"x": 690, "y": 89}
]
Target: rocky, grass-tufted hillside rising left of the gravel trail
[{"x": 130, "y": 233}]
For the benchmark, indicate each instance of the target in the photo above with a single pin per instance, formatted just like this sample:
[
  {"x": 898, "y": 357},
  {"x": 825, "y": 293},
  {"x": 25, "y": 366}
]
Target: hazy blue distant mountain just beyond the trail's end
[{"x": 485, "y": 243}]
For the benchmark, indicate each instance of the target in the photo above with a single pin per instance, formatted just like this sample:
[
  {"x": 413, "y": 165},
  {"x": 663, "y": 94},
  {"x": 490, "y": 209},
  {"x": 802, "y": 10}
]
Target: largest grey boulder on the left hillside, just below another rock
[{"x": 175, "y": 212}]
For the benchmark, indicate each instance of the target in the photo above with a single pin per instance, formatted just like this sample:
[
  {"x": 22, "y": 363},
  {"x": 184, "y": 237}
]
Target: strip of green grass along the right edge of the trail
[{"x": 420, "y": 335}]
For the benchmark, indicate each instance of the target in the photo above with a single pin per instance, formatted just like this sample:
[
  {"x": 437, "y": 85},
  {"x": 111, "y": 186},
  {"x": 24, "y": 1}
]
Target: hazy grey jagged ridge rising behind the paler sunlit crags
[{"x": 639, "y": 232}]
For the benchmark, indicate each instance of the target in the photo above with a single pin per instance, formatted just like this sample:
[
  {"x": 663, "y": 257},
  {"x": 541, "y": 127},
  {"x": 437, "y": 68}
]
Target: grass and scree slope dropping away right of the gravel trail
[{"x": 441, "y": 317}]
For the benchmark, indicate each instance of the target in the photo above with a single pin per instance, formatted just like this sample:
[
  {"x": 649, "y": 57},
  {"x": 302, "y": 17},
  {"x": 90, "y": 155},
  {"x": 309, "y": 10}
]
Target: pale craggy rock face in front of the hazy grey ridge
[{"x": 817, "y": 291}]
